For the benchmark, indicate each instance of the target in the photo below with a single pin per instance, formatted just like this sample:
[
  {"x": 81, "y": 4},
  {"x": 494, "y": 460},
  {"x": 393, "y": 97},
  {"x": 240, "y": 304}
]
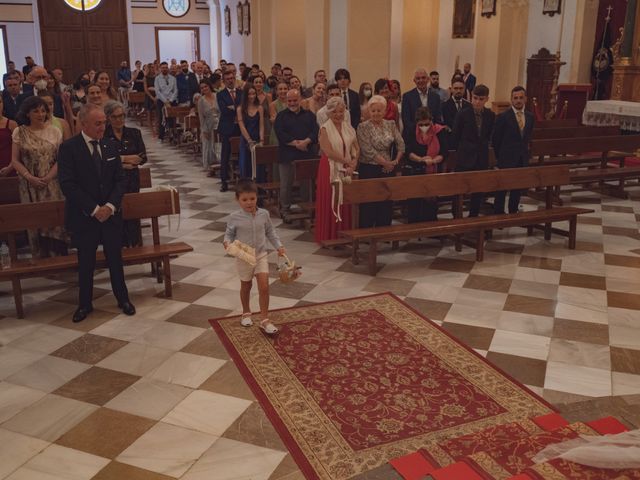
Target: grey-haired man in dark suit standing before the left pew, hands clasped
[{"x": 93, "y": 183}]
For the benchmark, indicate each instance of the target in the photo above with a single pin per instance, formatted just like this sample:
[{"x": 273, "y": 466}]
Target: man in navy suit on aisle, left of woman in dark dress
[{"x": 229, "y": 99}]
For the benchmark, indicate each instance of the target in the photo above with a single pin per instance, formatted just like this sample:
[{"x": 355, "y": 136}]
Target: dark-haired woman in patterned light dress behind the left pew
[{"x": 33, "y": 156}]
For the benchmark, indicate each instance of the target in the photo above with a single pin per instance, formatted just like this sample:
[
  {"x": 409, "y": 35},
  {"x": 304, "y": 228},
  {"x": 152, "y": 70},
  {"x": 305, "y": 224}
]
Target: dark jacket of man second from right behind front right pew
[{"x": 472, "y": 152}]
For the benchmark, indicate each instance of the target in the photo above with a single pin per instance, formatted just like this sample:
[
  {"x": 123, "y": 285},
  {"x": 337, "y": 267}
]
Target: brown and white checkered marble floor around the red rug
[{"x": 155, "y": 396}]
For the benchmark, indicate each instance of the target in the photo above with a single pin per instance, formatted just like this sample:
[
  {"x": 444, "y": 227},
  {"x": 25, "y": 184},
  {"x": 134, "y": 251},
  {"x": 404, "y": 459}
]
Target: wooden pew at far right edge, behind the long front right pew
[{"x": 595, "y": 153}]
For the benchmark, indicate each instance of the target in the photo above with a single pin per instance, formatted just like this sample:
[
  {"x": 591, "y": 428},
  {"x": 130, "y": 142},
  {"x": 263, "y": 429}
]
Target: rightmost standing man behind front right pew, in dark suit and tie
[{"x": 511, "y": 138}]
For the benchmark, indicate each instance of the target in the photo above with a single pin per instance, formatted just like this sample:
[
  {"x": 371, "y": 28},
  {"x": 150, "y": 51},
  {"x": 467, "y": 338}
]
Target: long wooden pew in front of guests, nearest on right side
[{"x": 457, "y": 185}]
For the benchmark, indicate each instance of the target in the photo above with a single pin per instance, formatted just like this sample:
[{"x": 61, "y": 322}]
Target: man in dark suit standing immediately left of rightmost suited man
[{"x": 472, "y": 133}]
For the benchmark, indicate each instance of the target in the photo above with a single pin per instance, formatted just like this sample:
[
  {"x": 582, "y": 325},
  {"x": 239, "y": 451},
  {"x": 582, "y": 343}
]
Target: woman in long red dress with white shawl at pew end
[{"x": 340, "y": 152}]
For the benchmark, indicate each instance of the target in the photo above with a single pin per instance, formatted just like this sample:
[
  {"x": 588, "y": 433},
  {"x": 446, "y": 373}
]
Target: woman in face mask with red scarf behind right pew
[{"x": 426, "y": 149}]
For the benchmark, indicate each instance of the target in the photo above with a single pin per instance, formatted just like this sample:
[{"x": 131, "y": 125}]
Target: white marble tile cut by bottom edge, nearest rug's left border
[{"x": 231, "y": 460}]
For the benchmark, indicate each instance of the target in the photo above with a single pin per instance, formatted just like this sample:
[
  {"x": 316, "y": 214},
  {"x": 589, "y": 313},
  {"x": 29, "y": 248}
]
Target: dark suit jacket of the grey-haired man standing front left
[{"x": 84, "y": 189}]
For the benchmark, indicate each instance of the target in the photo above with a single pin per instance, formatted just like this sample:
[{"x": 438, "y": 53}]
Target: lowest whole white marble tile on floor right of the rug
[{"x": 591, "y": 382}]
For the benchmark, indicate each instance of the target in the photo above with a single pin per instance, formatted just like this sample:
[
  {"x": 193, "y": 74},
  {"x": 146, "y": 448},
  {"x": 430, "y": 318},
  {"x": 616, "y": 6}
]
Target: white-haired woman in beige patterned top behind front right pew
[{"x": 381, "y": 148}]
